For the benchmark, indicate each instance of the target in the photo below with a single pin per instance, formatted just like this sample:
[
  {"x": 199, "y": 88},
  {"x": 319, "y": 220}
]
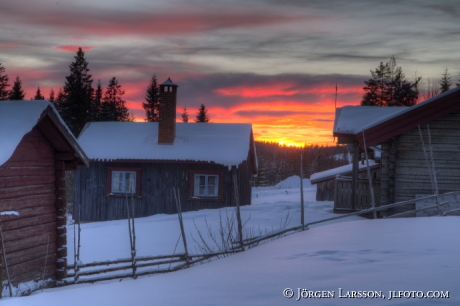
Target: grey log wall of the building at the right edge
[{"x": 405, "y": 154}]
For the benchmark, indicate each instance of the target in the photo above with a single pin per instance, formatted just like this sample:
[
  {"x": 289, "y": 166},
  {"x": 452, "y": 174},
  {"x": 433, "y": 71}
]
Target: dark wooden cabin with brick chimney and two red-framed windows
[{"x": 149, "y": 159}]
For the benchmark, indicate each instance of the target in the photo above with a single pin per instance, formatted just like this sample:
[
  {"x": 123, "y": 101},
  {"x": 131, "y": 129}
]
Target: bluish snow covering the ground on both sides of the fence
[{"x": 384, "y": 258}]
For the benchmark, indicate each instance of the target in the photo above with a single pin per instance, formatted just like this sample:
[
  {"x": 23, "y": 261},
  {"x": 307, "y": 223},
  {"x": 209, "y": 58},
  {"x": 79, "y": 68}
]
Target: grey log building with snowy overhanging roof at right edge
[{"x": 404, "y": 172}]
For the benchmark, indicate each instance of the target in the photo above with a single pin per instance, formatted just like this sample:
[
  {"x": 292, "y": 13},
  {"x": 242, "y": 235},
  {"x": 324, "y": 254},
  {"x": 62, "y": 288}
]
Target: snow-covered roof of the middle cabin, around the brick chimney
[{"x": 225, "y": 144}]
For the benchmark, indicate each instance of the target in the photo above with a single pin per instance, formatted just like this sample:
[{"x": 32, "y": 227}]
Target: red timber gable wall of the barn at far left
[{"x": 28, "y": 186}]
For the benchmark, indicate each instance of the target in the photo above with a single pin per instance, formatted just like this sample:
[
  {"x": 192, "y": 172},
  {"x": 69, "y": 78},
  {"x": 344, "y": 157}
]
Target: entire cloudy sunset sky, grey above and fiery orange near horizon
[{"x": 274, "y": 64}]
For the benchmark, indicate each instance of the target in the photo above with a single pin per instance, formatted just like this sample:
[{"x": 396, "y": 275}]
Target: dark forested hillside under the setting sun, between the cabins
[{"x": 278, "y": 162}]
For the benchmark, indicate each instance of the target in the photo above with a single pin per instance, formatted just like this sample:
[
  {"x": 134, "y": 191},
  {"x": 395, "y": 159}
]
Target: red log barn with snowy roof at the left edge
[{"x": 36, "y": 150}]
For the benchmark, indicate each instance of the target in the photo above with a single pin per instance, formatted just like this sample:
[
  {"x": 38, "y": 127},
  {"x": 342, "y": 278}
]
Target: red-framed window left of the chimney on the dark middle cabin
[{"x": 121, "y": 181}]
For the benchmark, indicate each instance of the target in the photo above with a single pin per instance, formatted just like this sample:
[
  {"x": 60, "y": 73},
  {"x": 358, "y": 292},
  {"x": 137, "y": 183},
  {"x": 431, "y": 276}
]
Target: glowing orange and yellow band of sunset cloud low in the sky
[{"x": 283, "y": 113}]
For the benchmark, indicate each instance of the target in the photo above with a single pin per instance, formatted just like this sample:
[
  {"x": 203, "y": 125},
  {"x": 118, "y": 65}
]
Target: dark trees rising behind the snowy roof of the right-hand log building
[{"x": 388, "y": 86}]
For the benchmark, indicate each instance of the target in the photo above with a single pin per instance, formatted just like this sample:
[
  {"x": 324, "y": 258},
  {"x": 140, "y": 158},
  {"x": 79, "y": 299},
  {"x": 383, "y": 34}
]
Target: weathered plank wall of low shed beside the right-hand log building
[{"x": 343, "y": 190}]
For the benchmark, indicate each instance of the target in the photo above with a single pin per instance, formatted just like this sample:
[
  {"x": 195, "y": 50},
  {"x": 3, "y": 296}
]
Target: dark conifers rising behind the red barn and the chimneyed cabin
[{"x": 78, "y": 102}]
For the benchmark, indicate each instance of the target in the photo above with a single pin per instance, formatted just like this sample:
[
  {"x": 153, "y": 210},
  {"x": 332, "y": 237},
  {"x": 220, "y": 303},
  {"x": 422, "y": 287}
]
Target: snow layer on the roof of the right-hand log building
[{"x": 355, "y": 119}]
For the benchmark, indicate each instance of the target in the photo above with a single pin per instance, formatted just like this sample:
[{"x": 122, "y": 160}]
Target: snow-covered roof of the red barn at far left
[{"x": 17, "y": 118}]
